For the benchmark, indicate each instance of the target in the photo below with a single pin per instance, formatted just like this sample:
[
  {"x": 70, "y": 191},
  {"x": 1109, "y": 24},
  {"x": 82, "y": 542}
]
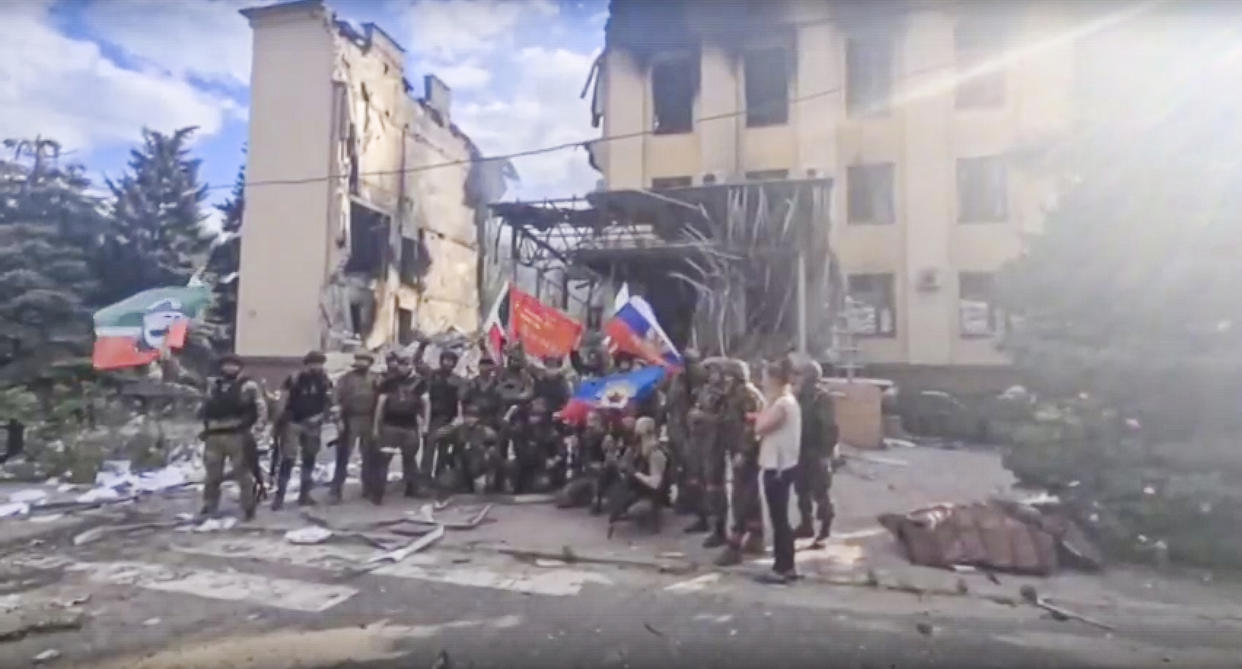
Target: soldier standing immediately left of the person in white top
[{"x": 747, "y": 534}]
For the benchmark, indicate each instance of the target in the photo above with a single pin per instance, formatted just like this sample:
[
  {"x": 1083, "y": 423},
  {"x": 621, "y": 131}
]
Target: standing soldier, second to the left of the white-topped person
[{"x": 705, "y": 456}]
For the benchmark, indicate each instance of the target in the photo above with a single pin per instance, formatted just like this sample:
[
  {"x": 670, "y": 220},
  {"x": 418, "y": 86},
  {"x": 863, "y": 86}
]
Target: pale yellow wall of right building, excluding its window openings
[{"x": 923, "y": 136}]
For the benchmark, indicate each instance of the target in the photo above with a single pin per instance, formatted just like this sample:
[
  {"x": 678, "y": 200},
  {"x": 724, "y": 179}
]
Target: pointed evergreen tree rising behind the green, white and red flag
[{"x": 157, "y": 236}]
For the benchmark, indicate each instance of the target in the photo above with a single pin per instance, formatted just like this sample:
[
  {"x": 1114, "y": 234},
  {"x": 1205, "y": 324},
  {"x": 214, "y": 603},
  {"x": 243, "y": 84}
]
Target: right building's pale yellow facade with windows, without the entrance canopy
[{"x": 922, "y": 114}]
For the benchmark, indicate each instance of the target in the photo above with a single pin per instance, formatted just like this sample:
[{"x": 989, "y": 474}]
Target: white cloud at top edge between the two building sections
[{"x": 445, "y": 30}]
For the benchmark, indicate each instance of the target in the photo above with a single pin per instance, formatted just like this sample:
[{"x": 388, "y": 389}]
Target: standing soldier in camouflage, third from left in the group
[{"x": 357, "y": 394}]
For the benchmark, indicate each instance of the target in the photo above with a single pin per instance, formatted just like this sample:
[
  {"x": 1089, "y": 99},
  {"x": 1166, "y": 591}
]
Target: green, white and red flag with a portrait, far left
[{"x": 135, "y": 331}]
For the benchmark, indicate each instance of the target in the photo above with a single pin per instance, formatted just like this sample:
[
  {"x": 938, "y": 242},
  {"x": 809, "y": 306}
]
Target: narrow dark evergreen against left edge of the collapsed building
[{"x": 223, "y": 267}]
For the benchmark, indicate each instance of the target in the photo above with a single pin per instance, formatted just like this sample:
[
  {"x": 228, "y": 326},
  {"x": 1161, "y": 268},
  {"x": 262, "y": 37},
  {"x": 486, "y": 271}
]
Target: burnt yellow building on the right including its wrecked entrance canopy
[{"x": 727, "y": 126}]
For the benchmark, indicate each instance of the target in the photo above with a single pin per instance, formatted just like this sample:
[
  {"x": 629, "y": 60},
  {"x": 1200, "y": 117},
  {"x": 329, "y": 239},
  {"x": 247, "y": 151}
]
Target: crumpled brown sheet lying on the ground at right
[{"x": 998, "y": 536}]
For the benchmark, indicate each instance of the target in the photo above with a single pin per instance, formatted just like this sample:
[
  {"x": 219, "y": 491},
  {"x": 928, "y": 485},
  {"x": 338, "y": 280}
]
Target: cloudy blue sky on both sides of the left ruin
[{"x": 93, "y": 73}]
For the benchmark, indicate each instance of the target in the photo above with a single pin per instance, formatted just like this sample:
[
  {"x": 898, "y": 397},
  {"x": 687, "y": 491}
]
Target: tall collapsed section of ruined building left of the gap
[{"x": 350, "y": 240}]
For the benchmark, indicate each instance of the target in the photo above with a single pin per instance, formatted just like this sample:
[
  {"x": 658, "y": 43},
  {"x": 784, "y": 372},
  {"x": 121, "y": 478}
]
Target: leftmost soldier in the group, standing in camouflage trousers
[{"x": 234, "y": 406}]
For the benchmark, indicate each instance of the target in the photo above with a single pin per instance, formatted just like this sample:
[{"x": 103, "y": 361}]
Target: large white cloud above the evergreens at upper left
[{"x": 66, "y": 89}]
